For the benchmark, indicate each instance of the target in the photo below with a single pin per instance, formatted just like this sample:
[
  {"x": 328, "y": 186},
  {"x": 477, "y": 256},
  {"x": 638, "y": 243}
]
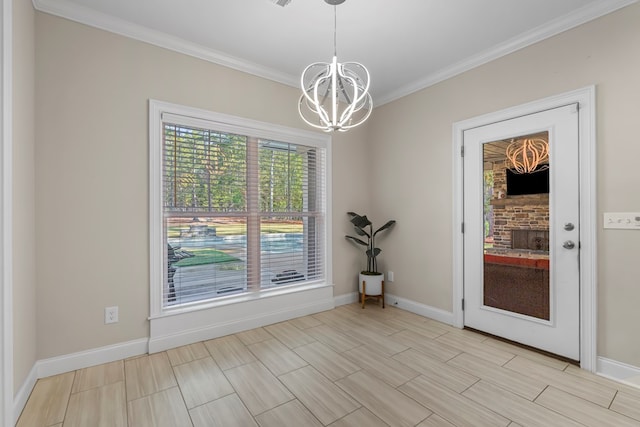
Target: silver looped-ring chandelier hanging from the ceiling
[{"x": 335, "y": 96}]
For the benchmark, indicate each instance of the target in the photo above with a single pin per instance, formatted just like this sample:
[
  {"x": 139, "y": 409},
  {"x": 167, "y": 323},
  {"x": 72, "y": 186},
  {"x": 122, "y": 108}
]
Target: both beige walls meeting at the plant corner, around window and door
[{"x": 92, "y": 89}]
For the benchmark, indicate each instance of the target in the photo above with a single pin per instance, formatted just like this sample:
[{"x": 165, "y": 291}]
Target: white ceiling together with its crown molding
[{"x": 406, "y": 44}]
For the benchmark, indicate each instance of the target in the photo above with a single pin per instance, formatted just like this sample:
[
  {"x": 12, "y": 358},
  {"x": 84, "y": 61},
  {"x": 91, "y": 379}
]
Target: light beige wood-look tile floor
[{"x": 340, "y": 368}]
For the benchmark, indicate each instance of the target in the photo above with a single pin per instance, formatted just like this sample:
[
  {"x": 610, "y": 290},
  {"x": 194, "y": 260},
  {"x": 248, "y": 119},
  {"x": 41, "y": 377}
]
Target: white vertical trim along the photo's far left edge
[{"x": 6, "y": 298}]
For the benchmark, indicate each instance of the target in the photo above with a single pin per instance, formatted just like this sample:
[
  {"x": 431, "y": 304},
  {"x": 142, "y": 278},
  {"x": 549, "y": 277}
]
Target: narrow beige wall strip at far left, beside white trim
[{"x": 24, "y": 271}]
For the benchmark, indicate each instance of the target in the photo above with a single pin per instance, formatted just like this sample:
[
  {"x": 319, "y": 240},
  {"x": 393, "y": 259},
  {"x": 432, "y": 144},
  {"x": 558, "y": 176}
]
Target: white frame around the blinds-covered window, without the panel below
[{"x": 159, "y": 112}]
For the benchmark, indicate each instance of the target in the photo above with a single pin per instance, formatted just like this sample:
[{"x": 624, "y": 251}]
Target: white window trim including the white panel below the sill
[{"x": 320, "y": 292}]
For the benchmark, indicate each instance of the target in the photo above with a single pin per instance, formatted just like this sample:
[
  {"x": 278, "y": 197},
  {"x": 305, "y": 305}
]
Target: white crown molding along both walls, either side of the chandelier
[{"x": 72, "y": 11}]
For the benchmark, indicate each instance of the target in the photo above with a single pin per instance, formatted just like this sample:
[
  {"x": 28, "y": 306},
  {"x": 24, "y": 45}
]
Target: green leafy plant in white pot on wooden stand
[{"x": 373, "y": 278}]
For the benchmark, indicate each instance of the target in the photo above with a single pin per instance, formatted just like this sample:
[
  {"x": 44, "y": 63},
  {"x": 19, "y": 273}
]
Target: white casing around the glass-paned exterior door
[{"x": 585, "y": 98}]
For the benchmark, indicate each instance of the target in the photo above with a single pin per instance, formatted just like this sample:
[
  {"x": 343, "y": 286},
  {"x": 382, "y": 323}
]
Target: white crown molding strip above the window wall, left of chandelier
[{"x": 87, "y": 16}]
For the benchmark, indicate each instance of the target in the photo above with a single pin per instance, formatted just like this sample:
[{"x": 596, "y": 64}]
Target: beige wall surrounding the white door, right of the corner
[{"x": 412, "y": 143}]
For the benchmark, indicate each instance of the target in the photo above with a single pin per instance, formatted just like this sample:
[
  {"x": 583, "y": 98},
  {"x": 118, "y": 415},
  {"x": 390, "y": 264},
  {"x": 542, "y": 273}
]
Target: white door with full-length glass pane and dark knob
[{"x": 521, "y": 248}]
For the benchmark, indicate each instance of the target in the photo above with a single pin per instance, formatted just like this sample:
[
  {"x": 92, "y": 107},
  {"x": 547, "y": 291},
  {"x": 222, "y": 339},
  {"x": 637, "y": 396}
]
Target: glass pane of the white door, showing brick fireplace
[{"x": 516, "y": 225}]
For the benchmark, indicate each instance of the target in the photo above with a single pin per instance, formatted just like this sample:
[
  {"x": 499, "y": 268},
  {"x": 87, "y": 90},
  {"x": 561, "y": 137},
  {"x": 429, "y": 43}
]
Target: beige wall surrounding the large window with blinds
[{"x": 92, "y": 173}]
